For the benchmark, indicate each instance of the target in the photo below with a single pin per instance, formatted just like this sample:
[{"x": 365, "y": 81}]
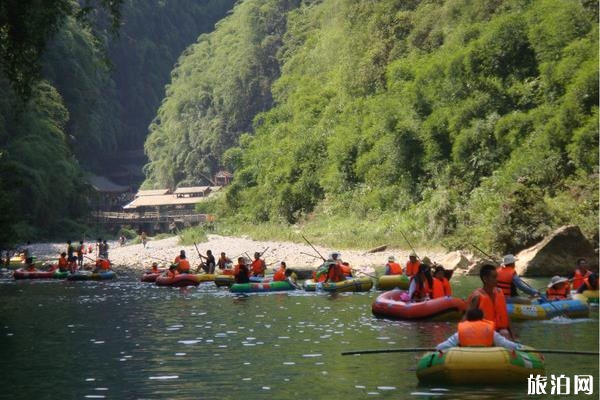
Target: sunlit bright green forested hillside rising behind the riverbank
[{"x": 453, "y": 120}]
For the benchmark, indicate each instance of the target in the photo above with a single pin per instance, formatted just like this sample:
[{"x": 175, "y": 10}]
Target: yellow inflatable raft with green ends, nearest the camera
[{"x": 479, "y": 366}]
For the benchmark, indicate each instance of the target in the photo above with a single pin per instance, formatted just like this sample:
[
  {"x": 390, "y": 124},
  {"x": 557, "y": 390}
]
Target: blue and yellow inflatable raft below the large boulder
[{"x": 547, "y": 310}]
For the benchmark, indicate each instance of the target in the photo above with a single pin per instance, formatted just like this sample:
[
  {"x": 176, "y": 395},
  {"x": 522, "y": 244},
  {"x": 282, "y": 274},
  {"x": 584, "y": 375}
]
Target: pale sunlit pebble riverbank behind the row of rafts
[{"x": 297, "y": 255}]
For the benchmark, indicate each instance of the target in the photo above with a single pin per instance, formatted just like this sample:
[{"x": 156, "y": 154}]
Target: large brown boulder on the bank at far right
[{"x": 556, "y": 254}]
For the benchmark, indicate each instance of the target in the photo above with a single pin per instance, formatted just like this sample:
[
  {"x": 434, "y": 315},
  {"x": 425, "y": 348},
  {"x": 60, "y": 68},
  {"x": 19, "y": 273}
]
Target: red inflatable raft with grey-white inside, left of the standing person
[{"x": 390, "y": 305}]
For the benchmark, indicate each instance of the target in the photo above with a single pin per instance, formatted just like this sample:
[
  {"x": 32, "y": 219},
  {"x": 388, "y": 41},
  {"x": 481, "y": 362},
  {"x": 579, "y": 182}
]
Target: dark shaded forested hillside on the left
[{"x": 73, "y": 93}]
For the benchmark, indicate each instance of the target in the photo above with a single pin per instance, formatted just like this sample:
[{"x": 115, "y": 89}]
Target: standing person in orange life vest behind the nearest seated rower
[{"x": 490, "y": 299}]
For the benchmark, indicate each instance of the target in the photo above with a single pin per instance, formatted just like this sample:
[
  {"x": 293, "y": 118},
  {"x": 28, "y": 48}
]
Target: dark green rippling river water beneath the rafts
[{"x": 128, "y": 340}]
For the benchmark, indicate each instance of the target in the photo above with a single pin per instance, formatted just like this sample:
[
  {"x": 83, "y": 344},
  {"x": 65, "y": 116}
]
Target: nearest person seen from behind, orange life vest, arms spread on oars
[{"x": 477, "y": 332}]
